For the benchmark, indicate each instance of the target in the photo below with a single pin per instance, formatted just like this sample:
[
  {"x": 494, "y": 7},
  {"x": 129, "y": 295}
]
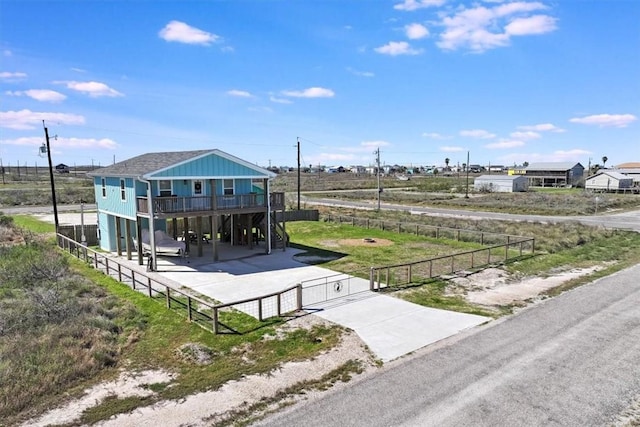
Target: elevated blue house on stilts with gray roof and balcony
[{"x": 193, "y": 197}]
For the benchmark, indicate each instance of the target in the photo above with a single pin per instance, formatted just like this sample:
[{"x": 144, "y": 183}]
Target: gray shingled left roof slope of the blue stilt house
[{"x": 147, "y": 163}]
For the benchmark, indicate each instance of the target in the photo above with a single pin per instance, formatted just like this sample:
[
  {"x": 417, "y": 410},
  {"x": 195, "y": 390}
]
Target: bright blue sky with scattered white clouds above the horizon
[{"x": 422, "y": 80}]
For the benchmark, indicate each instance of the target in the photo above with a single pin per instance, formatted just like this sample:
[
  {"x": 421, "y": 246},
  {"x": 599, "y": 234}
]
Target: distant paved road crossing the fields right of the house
[{"x": 627, "y": 220}]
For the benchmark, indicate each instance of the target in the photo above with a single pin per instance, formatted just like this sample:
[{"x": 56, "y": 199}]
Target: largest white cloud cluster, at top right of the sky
[{"x": 480, "y": 28}]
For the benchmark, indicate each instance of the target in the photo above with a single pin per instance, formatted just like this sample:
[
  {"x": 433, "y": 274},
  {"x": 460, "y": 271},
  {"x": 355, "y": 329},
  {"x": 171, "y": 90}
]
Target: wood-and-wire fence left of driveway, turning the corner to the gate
[{"x": 203, "y": 313}]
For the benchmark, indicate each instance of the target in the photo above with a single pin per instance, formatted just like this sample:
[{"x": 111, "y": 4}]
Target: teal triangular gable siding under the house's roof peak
[{"x": 209, "y": 166}]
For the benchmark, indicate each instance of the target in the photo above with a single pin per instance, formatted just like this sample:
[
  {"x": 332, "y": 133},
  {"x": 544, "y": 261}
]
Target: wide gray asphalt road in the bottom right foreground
[{"x": 570, "y": 361}]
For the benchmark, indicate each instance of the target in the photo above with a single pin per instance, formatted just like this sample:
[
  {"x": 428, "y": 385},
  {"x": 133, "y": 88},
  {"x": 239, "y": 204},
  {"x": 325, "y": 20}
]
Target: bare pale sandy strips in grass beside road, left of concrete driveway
[{"x": 205, "y": 409}]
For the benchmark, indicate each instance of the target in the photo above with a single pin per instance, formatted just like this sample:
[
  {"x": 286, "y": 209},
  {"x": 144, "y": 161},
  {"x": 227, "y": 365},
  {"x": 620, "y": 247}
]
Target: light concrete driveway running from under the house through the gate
[{"x": 389, "y": 326}]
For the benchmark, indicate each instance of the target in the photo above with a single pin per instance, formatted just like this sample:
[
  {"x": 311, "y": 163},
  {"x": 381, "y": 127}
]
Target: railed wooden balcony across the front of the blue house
[{"x": 171, "y": 206}]
